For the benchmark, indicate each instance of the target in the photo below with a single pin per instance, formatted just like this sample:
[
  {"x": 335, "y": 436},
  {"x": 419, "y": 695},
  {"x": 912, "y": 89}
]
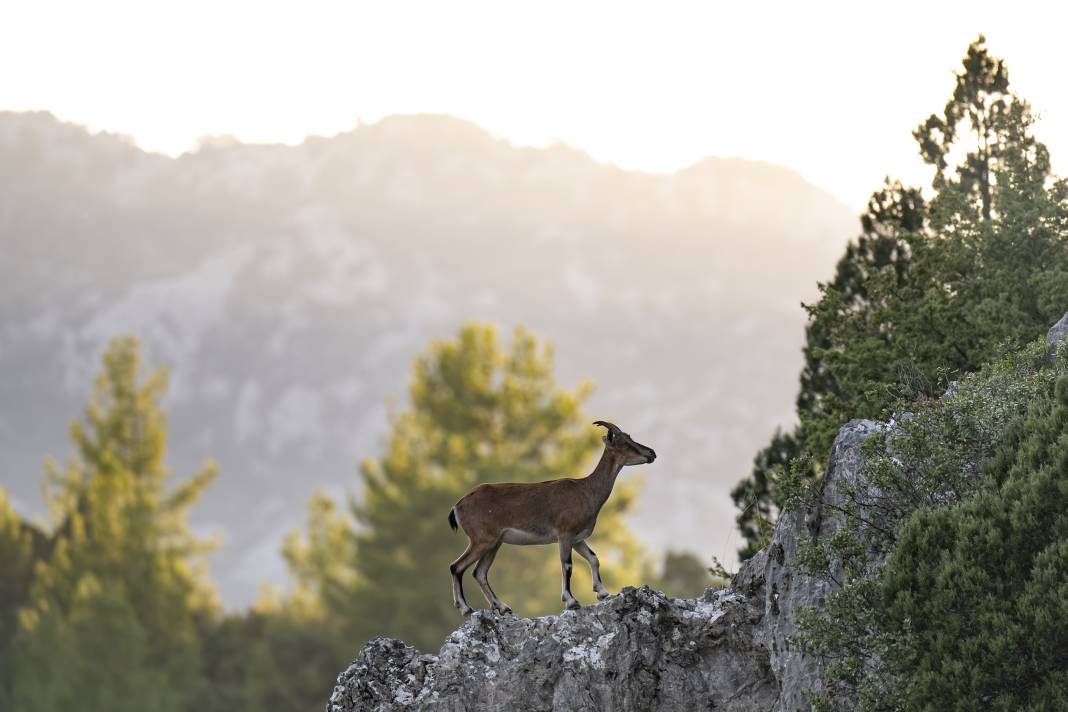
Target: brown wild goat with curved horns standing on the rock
[{"x": 556, "y": 511}]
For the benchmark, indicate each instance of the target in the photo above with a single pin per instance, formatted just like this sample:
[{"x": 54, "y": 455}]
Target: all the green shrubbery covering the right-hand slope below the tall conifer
[{"x": 946, "y": 549}]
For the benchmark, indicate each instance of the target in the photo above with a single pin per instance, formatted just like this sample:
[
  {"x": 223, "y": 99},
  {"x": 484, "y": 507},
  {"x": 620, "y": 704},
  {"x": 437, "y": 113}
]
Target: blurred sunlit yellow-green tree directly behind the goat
[{"x": 480, "y": 414}]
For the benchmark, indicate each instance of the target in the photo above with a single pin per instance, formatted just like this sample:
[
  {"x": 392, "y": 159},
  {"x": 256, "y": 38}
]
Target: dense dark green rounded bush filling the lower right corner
[{"x": 976, "y": 596}]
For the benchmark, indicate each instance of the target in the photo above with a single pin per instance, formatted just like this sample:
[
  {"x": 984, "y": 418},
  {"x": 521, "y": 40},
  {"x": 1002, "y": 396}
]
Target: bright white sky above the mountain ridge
[{"x": 833, "y": 90}]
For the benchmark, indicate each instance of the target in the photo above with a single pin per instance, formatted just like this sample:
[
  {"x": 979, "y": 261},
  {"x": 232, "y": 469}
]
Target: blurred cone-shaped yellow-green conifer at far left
[{"x": 114, "y": 612}]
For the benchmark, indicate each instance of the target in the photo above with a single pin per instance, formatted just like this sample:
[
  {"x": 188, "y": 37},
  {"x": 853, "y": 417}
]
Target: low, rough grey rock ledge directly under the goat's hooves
[{"x": 638, "y": 651}]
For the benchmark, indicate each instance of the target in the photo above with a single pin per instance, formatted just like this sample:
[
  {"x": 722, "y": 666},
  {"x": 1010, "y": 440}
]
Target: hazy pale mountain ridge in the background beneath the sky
[{"x": 291, "y": 287}]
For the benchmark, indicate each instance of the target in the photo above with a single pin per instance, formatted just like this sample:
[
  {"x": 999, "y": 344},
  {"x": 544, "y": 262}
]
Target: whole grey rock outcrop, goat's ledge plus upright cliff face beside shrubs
[{"x": 731, "y": 650}]
